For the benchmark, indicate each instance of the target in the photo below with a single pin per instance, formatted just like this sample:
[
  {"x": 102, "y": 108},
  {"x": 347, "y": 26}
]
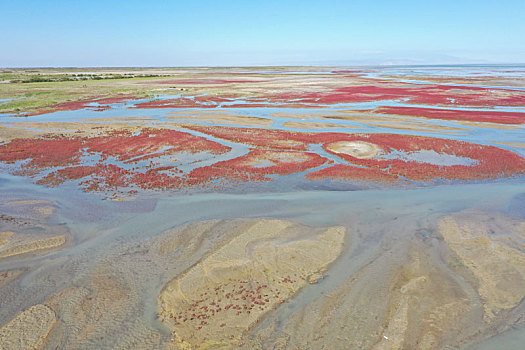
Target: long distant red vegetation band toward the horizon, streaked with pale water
[{"x": 414, "y": 93}]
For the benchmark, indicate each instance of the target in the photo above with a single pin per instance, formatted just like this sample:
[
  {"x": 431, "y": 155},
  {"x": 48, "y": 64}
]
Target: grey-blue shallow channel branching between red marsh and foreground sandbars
[{"x": 374, "y": 218}]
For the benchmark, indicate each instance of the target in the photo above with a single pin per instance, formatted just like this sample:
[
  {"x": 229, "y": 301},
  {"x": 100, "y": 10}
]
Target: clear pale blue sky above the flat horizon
[{"x": 223, "y": 33}]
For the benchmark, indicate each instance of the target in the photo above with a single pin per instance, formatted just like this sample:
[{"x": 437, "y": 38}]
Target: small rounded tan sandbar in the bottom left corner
[{"x": 29, "y": 329}]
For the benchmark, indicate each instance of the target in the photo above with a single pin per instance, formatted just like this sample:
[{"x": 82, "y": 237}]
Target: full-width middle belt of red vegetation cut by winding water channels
[{"x": 277, "y": 153}]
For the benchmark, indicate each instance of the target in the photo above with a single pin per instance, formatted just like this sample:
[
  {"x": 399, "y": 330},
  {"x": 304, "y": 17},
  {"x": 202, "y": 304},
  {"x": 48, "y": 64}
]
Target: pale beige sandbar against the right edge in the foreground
[{"x": 498, "y": 266}]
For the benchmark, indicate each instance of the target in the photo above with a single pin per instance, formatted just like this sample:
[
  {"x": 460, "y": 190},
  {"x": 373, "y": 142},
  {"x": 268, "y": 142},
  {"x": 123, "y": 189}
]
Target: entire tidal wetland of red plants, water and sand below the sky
[{"x": 257, "y": 208}]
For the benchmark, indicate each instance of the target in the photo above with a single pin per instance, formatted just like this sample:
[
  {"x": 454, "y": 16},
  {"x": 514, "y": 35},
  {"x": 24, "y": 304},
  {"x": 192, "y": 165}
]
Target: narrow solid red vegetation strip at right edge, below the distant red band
[{"x": 451, "y": 114}]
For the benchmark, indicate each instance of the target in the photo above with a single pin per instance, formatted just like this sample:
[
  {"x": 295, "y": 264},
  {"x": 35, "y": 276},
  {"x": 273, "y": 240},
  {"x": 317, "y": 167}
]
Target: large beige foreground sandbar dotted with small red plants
[{"x": 228, "y": 292}]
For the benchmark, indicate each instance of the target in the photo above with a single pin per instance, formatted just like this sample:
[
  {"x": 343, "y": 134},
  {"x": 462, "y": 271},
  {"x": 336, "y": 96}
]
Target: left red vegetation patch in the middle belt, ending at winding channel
[{"x": 53, "y": 152}]
